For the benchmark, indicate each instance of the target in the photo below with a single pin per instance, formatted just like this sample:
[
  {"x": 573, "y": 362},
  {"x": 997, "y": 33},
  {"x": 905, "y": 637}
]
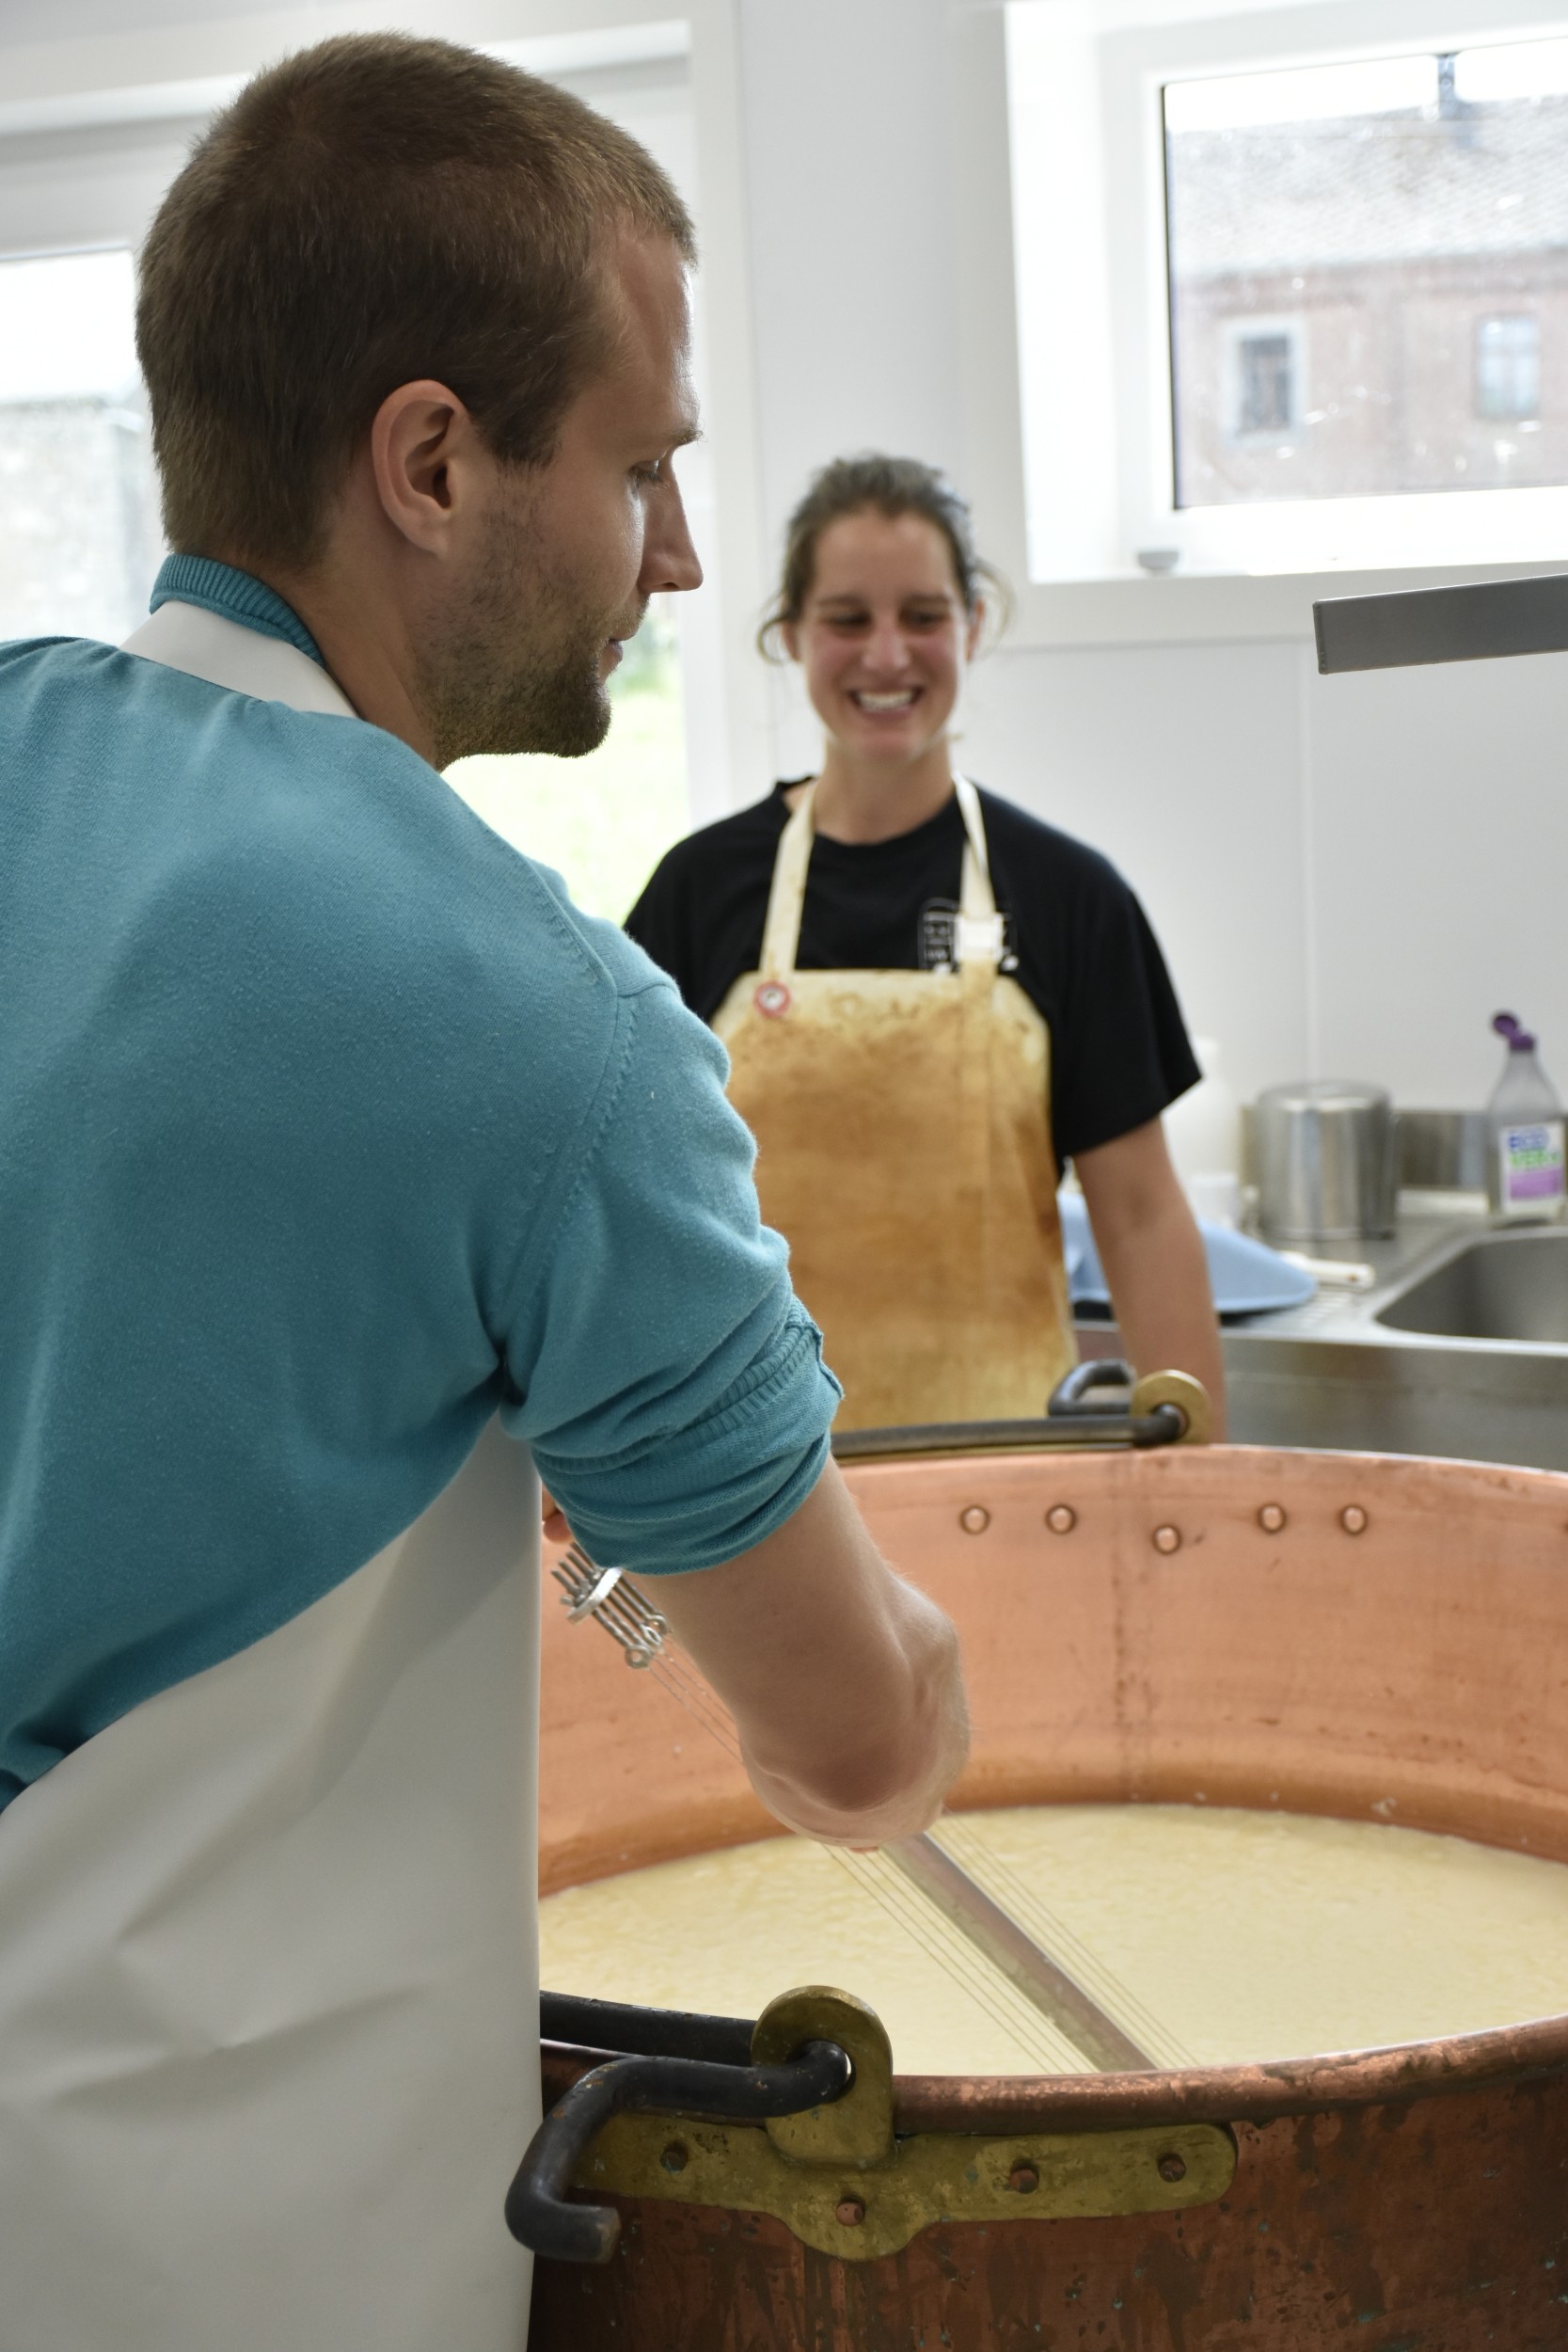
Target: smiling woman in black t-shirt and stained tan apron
[{"x": 932, "y": 1001}]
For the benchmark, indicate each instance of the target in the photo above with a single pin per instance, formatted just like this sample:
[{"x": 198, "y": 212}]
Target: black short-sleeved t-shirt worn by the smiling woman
[{"x": 1076, "y": 935}]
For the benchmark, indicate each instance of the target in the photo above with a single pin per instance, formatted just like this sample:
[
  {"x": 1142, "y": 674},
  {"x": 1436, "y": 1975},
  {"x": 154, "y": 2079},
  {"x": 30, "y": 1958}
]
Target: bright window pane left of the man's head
[{"x": 79, "y": 502}]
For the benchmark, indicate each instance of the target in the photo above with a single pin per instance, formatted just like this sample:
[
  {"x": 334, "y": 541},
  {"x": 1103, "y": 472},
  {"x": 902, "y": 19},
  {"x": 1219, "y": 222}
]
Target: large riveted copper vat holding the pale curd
[{"x": 1353, "y": 1636}]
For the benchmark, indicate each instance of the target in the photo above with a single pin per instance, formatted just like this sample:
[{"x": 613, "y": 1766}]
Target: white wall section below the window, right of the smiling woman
[{"x": 1348, "y": 874}]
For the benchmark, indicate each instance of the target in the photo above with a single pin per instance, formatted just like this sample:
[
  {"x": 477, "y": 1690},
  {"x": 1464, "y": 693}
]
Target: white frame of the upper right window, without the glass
[{"x": 1087, "y": 147}]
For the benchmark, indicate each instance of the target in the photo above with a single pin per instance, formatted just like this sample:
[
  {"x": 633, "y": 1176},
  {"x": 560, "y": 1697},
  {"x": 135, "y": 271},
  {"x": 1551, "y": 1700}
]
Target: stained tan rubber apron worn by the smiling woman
[{"x": 904, "y": 1149}]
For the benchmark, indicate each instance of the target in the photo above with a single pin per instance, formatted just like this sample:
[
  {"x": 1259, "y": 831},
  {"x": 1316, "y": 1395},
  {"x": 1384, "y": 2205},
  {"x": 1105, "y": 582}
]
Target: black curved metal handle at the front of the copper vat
[{"x": 537, "y": 2210}]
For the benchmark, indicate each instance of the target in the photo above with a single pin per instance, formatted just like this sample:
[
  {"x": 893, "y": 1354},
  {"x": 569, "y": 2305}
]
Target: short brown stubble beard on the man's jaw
[{"x": 516, "y": 662}]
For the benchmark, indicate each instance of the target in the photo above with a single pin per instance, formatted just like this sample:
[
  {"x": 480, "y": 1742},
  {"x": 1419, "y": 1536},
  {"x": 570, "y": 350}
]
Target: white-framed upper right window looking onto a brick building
[{"x": 1318, "y": 283}]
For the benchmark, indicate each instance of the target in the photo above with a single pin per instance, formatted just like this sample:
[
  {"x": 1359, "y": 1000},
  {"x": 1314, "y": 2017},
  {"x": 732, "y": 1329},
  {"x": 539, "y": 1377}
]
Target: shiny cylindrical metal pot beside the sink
[{"x": 1327, "y": 1168}]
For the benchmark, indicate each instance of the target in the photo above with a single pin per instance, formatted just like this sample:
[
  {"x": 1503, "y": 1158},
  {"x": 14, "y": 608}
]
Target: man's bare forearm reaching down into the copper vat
[{"x": 843, "y": 1681}]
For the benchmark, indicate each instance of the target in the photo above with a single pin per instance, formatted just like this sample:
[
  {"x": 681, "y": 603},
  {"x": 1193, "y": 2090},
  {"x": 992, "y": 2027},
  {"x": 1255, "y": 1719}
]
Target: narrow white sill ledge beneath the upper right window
[{"x": 1217, "y": 608}]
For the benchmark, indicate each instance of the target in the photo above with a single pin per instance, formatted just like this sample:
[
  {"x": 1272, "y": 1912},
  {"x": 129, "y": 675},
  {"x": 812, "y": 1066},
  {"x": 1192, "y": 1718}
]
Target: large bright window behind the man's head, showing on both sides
[{"x": 79, "y": 497}]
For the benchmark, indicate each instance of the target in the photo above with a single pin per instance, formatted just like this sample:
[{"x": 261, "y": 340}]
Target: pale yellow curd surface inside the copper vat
[{"x": 1214, "y": 1937}]
